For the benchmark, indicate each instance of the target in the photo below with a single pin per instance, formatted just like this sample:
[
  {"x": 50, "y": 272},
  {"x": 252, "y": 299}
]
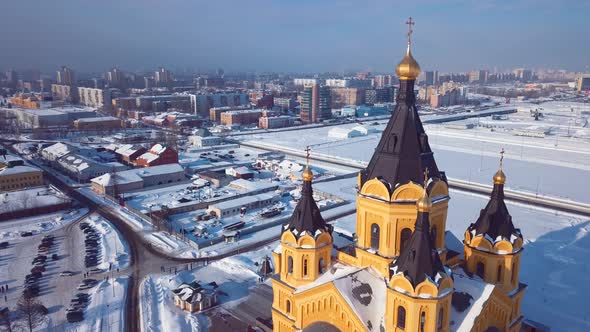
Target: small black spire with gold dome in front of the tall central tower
[{"x": 419, "y": 259}]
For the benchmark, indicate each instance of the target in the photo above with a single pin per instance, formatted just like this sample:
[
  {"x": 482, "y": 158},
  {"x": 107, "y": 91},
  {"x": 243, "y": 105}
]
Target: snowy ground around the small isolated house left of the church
[{"x": 234, "y": 275}]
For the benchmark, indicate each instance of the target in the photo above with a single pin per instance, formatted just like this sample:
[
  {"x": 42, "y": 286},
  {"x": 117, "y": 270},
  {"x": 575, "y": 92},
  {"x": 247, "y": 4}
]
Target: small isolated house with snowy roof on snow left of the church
[{"x": 195, "y": 296}]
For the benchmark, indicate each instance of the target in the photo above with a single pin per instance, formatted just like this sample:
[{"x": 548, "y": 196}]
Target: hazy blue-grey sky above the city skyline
[{"x": 293, "y": 35}]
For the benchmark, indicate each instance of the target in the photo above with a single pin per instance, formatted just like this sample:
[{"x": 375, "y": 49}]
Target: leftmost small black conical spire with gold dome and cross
[{"x": 306, "y": 216}]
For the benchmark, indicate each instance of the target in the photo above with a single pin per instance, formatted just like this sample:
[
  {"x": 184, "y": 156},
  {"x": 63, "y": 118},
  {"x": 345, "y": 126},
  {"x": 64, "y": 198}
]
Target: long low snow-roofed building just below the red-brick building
[{"x": 135, "y": 179}]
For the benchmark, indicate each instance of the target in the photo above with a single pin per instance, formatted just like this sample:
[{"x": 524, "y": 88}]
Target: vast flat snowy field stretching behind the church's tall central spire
[{"x": 547, "y": 166}]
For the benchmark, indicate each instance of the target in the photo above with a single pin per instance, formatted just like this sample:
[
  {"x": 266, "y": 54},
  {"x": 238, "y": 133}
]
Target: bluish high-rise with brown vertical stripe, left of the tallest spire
[{"x": 316, "y": 103}]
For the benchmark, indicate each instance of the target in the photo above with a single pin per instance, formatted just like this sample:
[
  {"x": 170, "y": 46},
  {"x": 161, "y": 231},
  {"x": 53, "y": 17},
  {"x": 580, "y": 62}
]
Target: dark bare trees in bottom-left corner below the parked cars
[{"x": 29, "y": 314}]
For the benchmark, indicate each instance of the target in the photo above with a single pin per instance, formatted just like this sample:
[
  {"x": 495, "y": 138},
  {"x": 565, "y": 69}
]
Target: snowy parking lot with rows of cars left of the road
[{"x": 52, "y": 266}]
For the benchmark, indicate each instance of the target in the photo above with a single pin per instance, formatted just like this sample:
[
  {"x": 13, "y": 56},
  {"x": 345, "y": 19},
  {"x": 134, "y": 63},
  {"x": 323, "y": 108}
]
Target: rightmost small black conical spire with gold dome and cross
[{"x": 495, "y": 220}]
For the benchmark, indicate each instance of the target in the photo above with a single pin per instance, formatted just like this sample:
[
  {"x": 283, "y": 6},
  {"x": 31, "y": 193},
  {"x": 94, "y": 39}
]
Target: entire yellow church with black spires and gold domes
[{"x": 399, "y": 274}]
